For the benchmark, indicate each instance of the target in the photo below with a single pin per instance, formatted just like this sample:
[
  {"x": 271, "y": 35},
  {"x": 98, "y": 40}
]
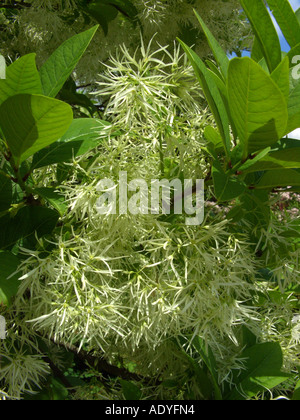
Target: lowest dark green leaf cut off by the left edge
[{"x": 9, "y": 264}]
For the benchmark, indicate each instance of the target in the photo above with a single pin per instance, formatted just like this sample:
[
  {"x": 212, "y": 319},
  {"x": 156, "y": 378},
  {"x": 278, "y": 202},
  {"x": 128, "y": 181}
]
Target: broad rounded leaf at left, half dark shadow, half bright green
[{"x": 32, "y": 122}]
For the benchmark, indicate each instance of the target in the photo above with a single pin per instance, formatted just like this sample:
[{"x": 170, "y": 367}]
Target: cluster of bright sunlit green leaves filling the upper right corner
[{"x": 260, "y": 105}]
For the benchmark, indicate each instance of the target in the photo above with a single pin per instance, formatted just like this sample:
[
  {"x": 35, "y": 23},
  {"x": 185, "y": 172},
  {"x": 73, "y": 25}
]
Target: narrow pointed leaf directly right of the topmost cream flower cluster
[{"x": 212, "y": 95}]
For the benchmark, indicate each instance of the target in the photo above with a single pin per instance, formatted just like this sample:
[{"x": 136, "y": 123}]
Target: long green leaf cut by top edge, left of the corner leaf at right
[{"x": 264, "y": 30}]
